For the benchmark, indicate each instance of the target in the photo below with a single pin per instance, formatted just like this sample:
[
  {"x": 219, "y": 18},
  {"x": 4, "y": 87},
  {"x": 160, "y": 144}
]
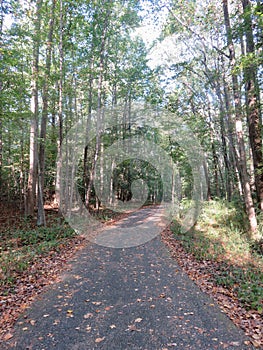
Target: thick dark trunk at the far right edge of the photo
[{"x": 253, "y": 104}]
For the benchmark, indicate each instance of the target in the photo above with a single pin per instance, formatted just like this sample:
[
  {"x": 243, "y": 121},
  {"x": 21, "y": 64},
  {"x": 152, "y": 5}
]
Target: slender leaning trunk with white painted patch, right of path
[{"x": 242, "y": 164}]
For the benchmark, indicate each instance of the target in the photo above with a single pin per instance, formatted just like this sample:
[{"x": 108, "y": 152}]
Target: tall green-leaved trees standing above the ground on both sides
[{"x": 62, "y": 59}]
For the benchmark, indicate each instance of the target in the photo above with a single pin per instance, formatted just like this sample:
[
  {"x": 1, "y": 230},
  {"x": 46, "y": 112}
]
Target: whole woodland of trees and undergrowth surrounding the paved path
[{"x": 62, "y": 61}]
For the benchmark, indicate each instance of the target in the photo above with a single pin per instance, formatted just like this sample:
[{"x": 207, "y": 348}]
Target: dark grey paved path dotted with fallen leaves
[{"x": 126, "y": 298}]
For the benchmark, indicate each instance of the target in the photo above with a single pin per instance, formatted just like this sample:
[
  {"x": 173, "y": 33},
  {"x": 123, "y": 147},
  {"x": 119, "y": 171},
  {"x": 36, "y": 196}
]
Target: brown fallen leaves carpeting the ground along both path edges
[{"x": 23, "y": 282}]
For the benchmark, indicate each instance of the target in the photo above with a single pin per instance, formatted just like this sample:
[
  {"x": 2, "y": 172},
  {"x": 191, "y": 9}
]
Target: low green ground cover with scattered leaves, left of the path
[{"x": 21, "y": 247}]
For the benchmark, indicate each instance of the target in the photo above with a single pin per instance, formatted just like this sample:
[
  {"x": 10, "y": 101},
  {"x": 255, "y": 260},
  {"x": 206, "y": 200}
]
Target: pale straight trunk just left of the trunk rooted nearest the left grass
[{"x": 32, "y": 176}]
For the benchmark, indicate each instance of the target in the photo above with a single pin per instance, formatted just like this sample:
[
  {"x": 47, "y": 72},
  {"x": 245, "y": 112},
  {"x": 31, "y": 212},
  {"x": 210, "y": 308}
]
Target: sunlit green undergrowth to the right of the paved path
[{"x": 221, "y": 236}]
